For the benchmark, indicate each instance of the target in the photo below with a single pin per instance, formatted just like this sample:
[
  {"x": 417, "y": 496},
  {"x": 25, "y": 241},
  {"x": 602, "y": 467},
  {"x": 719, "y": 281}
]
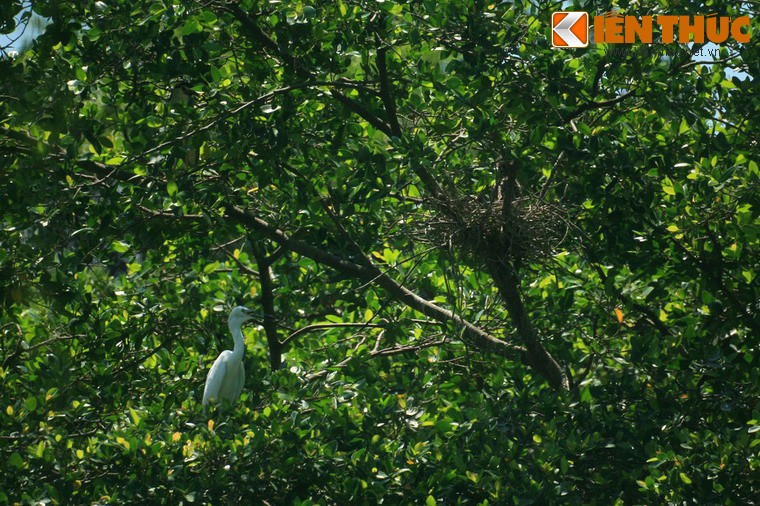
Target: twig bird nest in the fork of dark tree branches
[{"x": 527, "y": 230}]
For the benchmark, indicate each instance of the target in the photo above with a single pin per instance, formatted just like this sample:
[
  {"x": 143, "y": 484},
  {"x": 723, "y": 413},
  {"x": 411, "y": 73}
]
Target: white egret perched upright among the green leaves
[{"x": 226, "y": 377}]
